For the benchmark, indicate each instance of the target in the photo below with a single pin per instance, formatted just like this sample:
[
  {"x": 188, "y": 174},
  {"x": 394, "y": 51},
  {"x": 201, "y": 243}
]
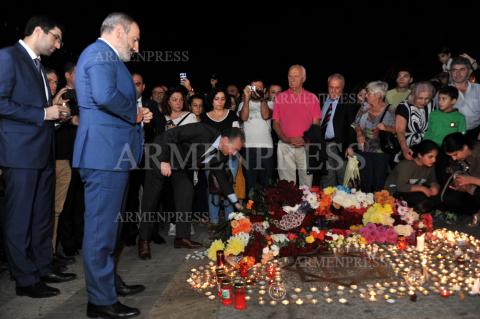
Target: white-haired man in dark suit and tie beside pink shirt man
[{"x": 337, "y": 116}]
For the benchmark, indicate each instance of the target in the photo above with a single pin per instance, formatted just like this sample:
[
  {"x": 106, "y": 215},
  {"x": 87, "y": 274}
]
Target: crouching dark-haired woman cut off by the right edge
[{"x": 464, "y": 194}]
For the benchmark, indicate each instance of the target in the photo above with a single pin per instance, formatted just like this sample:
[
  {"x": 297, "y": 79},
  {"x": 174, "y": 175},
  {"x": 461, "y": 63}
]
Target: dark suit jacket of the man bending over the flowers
[{"x": 184, "y": 147}]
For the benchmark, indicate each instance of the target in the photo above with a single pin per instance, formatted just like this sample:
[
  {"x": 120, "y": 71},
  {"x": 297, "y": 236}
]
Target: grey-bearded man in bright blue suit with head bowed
[{"x": 108, "y": 144}]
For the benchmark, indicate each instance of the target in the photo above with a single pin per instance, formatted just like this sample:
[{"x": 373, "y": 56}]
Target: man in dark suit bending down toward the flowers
[{"x": 183, "y": 149}]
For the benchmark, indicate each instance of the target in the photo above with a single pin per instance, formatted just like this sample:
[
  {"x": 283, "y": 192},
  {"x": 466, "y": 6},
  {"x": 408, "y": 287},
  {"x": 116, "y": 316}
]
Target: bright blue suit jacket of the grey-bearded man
[{"x": 108, "y": 137}]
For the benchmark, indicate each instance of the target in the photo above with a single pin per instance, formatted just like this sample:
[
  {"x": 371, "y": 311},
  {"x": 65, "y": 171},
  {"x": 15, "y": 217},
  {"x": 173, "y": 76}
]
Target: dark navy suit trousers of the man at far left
[{"x": 27, "y": 222}]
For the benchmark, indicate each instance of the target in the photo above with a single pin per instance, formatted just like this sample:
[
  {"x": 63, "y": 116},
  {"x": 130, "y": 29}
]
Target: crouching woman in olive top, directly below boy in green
[{"x": 415, "y": 180}]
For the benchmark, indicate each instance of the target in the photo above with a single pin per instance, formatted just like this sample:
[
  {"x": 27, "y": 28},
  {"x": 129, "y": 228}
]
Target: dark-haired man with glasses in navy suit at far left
[{"x": 27, "y": 157}]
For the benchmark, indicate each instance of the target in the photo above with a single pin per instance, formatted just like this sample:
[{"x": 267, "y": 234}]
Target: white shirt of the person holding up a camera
[{"x": 257, "y": 130}]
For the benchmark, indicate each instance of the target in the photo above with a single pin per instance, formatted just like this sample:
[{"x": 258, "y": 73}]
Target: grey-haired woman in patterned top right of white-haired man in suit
[{"x": 371, "y": 119}]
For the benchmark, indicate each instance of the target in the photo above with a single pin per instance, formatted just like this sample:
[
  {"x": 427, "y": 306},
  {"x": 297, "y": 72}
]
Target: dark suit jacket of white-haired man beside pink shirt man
[{"x": 342, "y": 120}]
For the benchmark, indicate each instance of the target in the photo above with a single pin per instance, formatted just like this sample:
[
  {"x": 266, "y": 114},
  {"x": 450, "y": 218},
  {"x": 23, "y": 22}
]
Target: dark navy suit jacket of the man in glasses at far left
[{"x": 26, "y": 139}]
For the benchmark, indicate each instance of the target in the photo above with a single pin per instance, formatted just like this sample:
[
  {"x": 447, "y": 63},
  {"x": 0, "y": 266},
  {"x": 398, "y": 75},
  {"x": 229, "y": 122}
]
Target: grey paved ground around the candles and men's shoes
[{"x": 168, "y": 296}]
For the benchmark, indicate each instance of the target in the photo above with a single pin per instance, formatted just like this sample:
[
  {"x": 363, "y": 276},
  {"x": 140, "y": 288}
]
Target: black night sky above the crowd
[{"x": 245, "y": 40}]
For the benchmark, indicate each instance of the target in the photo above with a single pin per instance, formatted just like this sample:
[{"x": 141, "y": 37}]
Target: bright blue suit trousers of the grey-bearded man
[{"x": 104, "y": 192}]
